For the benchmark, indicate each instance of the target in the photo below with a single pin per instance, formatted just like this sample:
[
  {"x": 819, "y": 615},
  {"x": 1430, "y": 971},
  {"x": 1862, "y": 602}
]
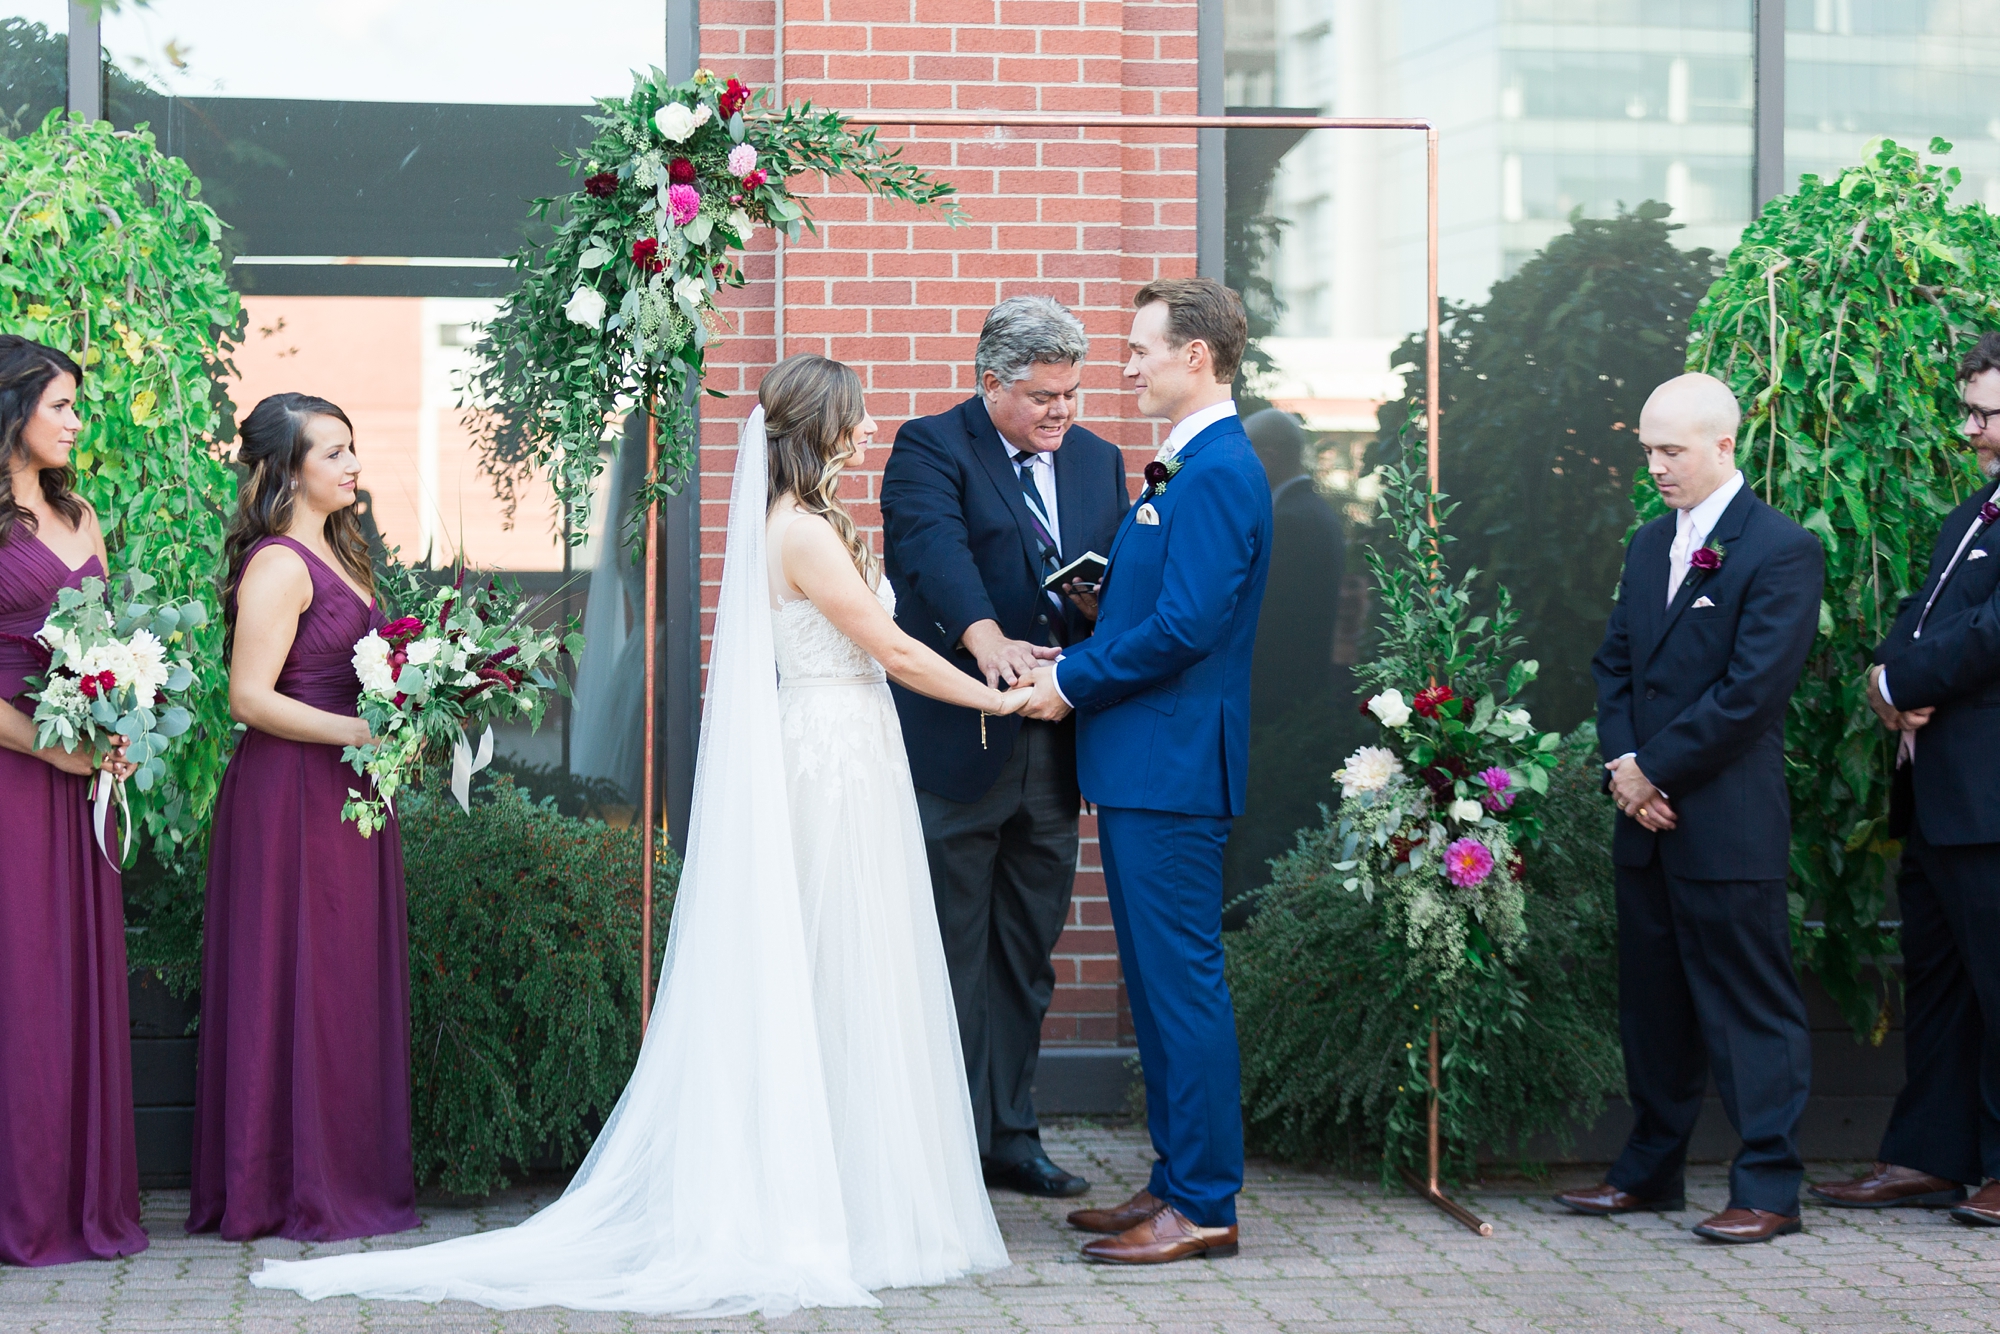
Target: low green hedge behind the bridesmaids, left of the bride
[{"x": 523, "y": 975}]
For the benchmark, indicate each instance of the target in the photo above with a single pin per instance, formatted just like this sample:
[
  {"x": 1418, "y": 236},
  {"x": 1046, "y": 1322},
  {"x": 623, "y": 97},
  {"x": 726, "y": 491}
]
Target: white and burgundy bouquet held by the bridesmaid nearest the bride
[{"x": 429, "y": 681}]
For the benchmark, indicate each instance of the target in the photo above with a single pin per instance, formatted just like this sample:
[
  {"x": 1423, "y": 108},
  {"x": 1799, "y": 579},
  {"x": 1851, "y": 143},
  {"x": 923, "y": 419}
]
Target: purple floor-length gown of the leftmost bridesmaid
[{"x": 69, "y": 1175}]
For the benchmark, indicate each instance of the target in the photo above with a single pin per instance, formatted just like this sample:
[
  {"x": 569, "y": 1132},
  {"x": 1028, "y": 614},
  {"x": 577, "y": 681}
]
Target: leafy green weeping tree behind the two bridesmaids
[{"x": 111, "y": 257}]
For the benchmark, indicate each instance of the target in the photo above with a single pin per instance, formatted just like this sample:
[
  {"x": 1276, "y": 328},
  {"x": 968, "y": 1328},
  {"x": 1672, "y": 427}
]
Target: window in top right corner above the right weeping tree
[{"x": 1899, "y": 69}]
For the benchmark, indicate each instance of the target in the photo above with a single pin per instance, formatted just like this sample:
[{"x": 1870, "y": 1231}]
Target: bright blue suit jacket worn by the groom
[{"x": 1163, "y": 689}]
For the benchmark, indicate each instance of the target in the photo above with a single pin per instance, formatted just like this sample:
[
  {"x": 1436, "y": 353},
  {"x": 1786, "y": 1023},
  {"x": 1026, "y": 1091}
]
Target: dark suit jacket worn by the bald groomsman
[{"x": 1701, "y": 691}]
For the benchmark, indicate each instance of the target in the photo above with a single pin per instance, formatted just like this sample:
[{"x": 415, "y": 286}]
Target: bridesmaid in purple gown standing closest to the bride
[{"x": 303, "y": 1079}]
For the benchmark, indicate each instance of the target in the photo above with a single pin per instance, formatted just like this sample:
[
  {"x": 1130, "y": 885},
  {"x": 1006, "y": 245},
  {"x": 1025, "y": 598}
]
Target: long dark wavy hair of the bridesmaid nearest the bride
[{"x": 273, "y": 451}]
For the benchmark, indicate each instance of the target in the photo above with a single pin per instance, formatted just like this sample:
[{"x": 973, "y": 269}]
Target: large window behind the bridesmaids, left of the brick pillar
[{"x": 377, "y": 165}]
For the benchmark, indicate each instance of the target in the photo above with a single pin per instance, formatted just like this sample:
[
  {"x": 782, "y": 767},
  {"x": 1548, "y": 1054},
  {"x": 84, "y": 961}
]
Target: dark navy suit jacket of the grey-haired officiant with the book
[{"x": 959, "y": 547}]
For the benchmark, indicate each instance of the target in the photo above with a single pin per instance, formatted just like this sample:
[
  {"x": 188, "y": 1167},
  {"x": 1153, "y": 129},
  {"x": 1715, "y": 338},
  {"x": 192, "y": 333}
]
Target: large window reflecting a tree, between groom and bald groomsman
[{"x": 1551, "y": 113}]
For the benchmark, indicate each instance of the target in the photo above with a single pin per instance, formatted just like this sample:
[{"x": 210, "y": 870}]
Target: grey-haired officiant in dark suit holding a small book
[{"x": 981, "y": 505}]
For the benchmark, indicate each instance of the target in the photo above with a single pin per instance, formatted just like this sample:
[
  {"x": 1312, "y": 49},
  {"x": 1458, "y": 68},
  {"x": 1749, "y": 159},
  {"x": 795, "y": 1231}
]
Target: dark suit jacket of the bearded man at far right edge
[{"x": 1955, "y": 669}]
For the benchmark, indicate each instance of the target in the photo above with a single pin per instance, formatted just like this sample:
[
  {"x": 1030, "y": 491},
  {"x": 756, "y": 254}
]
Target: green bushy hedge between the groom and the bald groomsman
[{"x": 1335, "y": 1033}]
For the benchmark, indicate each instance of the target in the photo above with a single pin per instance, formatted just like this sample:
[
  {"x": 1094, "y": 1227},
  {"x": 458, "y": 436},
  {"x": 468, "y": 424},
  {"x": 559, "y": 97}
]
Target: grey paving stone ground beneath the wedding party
[{"x": 1321, "y": 1255}]
